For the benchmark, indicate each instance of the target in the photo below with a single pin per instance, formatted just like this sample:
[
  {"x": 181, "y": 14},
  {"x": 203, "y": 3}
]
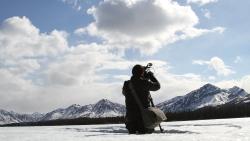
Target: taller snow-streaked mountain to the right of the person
[{"x": 207, "y": 95}]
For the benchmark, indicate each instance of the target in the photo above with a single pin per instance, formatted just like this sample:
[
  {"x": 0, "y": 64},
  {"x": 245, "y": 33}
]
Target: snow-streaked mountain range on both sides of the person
[{"x": 207, "y": 95}]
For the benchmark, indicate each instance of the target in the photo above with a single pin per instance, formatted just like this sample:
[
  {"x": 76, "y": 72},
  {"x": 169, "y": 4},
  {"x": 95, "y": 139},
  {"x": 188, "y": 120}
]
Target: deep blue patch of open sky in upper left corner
[{"x": 46, "y": 14}]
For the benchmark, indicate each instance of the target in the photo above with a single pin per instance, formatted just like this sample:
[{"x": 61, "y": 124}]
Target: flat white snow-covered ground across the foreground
[{"x": 203, "y": 130}]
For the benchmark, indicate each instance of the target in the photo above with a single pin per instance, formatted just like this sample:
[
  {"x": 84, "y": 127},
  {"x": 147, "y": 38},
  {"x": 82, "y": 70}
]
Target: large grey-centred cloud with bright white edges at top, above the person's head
[{"x": 143, "y": 24}]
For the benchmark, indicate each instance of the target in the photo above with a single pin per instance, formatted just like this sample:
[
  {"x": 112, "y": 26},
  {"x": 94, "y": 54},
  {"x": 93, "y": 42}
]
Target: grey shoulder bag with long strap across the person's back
[{"x": 151, "y": 116}]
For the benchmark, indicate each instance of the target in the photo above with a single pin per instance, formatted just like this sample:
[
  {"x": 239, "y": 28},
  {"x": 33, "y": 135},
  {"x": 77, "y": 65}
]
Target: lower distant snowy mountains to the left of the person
[{"x": 103, "y": 108}]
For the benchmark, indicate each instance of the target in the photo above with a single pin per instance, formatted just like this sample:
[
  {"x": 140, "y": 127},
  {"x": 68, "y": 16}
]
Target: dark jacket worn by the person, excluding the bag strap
[{"x": 142, "y": 88}]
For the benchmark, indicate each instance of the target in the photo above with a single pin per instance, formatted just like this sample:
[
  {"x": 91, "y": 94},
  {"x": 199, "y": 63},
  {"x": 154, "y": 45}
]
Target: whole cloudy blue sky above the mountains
[{"x": 55, "y": 53}]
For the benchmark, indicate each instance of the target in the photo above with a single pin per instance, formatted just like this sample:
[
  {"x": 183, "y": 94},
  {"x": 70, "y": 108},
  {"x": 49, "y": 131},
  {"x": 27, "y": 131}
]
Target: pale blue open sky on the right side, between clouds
[{"x": 233, "y": 42}]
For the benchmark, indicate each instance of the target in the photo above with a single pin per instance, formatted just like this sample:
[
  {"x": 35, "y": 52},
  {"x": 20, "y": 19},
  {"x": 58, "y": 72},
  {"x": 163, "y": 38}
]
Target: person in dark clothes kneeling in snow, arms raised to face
[{"x": 143, "y": 82}]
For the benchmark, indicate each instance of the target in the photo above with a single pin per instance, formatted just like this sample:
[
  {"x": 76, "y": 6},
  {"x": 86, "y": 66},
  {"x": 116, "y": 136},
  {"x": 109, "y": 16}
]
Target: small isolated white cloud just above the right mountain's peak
[{"x": 216, "y": 64}]
